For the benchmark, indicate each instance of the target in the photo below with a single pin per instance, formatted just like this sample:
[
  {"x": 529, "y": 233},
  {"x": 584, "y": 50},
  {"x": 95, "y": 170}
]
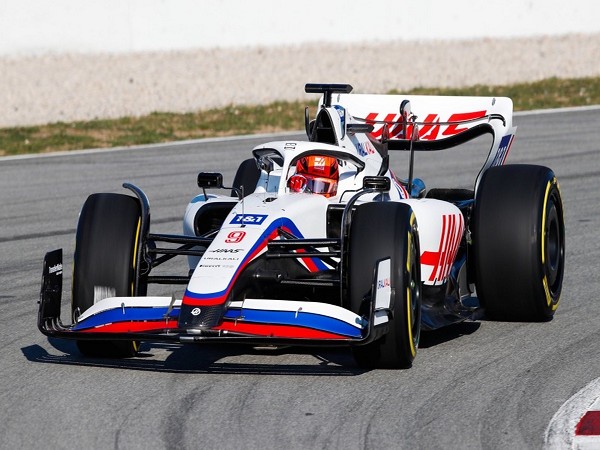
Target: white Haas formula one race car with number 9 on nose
[{"x": 318, "y": 243}]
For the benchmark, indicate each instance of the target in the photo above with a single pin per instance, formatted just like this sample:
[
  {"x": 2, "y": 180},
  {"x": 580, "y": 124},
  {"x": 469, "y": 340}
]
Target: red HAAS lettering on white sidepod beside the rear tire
[{"x": 442, "y": 260}]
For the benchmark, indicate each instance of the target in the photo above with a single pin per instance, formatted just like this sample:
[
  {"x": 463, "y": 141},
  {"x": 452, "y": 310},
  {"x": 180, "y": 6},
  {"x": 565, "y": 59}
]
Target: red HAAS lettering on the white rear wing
[{"x": 429, "y": 130}]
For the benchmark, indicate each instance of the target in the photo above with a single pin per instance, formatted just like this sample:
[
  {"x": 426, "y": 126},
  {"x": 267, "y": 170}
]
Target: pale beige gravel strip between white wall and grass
[{"x": 67, "y": 87}]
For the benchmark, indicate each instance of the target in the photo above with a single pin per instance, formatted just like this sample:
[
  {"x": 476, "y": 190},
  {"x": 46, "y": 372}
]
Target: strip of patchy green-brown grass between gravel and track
[{"x": 278, "y": 116}]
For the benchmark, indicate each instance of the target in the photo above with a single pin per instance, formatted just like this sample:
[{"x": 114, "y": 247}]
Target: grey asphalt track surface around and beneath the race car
[{"x": 479, "y": 384}]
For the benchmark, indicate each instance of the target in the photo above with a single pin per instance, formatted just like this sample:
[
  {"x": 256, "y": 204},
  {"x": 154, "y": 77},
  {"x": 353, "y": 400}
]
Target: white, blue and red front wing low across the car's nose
[{"x": 251, "y": 321}]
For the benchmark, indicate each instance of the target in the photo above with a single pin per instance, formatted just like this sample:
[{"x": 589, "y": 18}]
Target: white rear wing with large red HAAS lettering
[{"x": 425, "y": 122}]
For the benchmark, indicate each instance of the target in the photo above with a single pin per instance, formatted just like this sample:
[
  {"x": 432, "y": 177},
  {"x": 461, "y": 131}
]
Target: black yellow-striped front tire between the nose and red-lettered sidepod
[{"x": 380, "y": 231}]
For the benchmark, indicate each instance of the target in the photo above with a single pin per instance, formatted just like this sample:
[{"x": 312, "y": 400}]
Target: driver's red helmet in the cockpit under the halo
[{"x": 317, "y": 174}]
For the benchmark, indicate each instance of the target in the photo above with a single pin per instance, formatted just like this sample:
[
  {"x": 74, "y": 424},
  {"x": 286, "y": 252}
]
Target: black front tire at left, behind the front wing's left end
[{"x": 107, "y": 240}]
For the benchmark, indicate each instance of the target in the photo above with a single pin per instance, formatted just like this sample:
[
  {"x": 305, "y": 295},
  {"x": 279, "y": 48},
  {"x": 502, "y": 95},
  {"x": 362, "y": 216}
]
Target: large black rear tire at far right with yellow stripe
[{"x": 519, "y": 242}]
